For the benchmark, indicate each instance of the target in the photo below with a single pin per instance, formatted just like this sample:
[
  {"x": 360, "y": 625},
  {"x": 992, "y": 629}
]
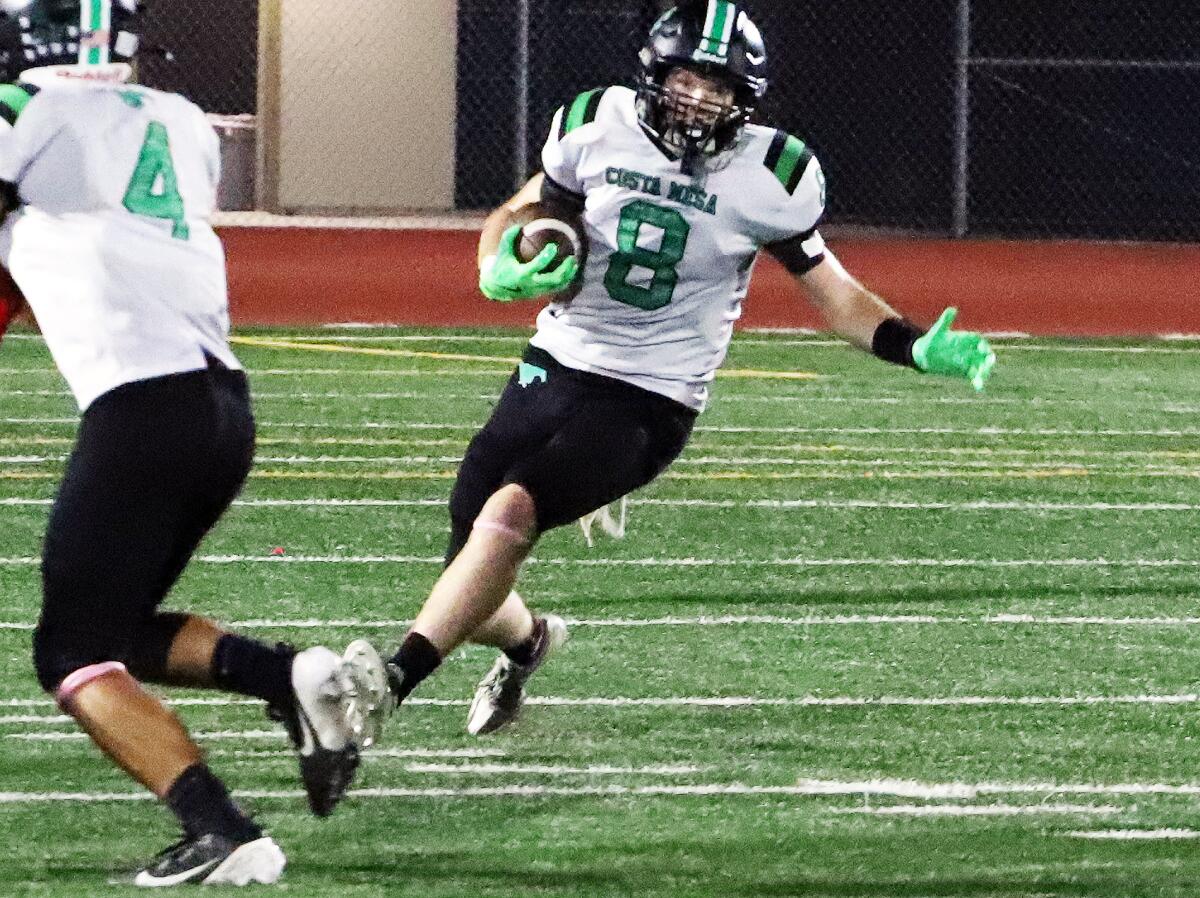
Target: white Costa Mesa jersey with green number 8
[{"x": 670, "y": 258}]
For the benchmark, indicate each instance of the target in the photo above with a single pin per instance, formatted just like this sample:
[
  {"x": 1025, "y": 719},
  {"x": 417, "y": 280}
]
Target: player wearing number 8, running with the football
[{"x": 680, "y": 193}]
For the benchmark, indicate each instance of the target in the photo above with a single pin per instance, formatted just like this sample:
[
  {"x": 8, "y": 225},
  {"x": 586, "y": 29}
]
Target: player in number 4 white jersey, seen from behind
[{"x": 109, "y": 189}]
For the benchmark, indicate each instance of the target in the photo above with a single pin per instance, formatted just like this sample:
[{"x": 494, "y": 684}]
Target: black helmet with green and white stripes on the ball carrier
[{"x": 716, "y": 39}]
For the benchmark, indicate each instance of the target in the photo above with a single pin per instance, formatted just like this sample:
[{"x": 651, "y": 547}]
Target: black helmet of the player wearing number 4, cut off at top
[{"x": 57, "y": 33}]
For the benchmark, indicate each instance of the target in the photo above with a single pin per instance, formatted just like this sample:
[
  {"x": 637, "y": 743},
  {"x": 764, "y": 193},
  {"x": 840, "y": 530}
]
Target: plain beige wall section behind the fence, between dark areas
[{"x": 357, "y": 105}]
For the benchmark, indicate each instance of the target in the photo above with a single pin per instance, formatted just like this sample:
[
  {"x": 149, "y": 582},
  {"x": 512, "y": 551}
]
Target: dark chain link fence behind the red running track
[{"x": 1024, "y": 118}]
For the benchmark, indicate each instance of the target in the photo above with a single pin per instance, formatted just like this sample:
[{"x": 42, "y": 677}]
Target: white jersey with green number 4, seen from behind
[{"x": 112, "y": 244}]
